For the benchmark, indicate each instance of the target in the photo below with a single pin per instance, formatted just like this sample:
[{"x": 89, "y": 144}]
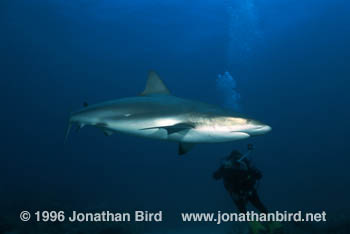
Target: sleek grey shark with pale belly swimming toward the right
[{"x": 158, "y": 114}]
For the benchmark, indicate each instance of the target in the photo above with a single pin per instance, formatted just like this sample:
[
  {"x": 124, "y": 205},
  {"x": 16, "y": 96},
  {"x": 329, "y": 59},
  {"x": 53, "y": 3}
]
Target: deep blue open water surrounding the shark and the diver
[{"x": 290, "y": 61}]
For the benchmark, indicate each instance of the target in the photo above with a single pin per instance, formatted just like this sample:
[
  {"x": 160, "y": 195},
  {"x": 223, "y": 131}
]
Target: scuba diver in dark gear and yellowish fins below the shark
[{"x": 241, "y": 180}]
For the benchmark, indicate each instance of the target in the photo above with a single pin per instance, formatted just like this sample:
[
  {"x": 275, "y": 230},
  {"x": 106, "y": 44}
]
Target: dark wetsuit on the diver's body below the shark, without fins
[{"x": 239, "y": 180}]
